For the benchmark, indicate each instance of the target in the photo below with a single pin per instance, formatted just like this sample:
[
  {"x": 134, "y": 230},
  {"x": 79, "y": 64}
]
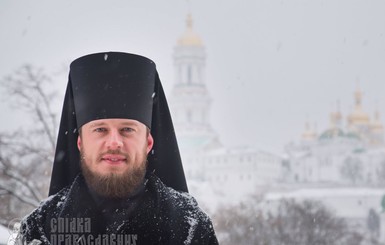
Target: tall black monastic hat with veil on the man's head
[{"x": 116, "y": 85}]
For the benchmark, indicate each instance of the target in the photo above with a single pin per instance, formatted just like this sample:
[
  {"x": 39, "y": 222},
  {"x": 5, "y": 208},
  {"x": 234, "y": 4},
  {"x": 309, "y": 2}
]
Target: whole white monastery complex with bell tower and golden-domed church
[{"x": 343, "y": 167}]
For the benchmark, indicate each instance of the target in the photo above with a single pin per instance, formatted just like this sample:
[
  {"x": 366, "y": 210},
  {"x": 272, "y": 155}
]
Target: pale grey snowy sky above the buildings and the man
[{"x": 271, "y": 64}]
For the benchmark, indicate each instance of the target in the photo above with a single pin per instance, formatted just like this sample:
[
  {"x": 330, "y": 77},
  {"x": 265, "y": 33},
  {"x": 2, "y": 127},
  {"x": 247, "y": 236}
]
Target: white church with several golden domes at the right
[{"x": 350, "y": 152}]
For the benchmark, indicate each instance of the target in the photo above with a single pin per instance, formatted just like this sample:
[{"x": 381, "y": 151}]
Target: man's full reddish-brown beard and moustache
[{"x": 115, "y": 185}]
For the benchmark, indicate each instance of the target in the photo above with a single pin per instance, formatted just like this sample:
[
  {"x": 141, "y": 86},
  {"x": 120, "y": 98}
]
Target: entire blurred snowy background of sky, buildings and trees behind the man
[{"x": 278, "y": 106}]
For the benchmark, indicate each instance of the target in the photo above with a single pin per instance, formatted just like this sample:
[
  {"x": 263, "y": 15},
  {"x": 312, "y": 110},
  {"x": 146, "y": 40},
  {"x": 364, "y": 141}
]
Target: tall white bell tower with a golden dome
[{"x": 190, "y": 100}]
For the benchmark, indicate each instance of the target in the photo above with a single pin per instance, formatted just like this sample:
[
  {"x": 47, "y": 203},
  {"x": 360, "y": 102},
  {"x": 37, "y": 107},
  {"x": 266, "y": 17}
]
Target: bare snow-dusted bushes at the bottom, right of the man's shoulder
[{"x": 292, "y": 223}]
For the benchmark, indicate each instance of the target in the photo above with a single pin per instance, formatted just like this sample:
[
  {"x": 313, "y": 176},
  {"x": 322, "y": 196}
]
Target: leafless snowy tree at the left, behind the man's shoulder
[{"x": 26, "y": 153}]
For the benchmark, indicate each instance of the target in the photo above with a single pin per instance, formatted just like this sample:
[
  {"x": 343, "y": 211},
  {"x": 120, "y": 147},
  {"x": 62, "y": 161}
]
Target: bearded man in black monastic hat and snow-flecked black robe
[{"x": 117, "y": 176}]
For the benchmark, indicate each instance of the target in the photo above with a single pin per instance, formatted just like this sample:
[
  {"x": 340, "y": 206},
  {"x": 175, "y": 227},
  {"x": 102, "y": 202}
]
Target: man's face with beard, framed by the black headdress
[{"x": 113, "y": 155}]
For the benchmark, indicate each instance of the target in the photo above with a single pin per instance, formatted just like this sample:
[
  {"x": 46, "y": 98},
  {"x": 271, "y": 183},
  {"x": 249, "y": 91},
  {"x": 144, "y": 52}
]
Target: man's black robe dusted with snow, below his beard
[{"x": 155, "y": 214}]
